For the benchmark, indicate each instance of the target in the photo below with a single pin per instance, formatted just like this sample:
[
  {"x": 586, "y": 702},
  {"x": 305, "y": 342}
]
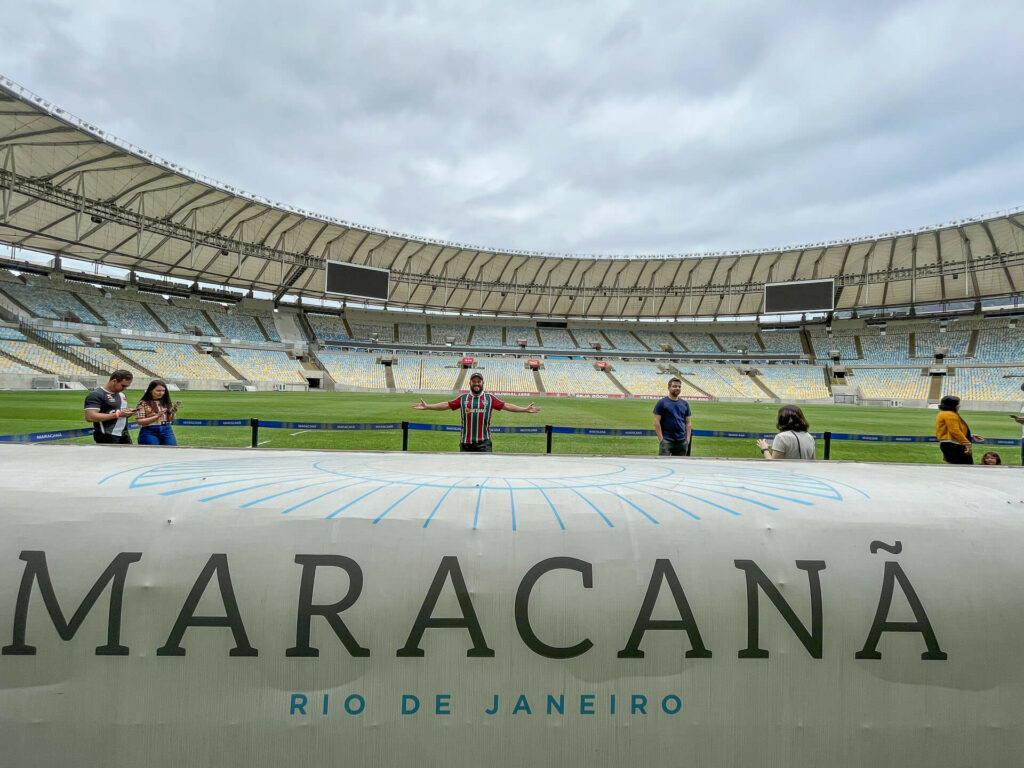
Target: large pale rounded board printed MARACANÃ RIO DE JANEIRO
[{"x": 169, "y": 608}]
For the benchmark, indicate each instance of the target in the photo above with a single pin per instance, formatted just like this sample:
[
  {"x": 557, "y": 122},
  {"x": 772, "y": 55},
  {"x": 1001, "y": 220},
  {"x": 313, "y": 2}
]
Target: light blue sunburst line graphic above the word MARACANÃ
[{"x": 526, "y": 491}]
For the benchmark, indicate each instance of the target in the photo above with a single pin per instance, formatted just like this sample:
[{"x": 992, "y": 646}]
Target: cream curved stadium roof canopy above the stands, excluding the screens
[{"x": 70, "y": 189}]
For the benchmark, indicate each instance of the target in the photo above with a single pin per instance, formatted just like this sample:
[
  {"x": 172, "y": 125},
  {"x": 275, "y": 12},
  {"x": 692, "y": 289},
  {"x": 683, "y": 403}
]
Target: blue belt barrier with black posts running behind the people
[{"x": 547, "y": 430}]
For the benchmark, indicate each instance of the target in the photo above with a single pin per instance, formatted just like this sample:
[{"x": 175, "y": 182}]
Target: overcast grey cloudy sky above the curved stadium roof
[{"x": 593, "y": 127}]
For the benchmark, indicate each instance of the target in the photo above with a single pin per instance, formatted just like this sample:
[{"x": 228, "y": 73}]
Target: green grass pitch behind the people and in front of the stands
[{"x": 38, "y": 412}]
